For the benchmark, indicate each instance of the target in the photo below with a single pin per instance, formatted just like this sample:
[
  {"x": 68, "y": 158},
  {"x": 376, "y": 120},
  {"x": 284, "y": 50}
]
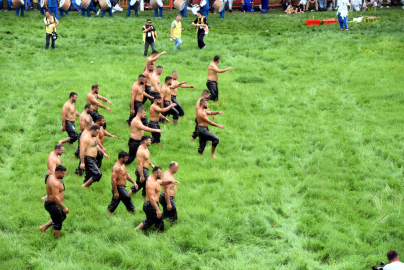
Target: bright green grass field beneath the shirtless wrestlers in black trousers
[{"x": 310, "y": 174}]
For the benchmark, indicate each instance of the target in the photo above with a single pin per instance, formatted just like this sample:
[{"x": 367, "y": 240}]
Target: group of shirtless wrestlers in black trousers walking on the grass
[{"x": 91, "y": 144}]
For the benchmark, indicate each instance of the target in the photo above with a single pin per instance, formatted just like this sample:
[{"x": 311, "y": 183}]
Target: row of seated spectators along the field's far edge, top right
[{"x": 301, "y": 6}]
